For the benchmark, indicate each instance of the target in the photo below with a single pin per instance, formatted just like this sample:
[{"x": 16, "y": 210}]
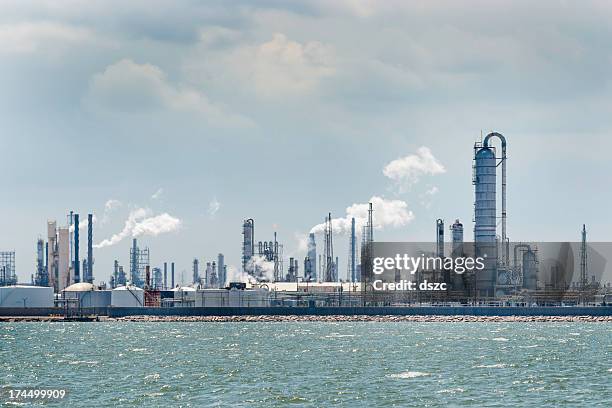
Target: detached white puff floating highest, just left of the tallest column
[{"x": 407, "y": 171}]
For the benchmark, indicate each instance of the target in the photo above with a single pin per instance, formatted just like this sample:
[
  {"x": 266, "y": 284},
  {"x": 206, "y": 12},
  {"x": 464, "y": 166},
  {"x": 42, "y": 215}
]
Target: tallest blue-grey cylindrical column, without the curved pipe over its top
[{"x": 484, "y": 217}]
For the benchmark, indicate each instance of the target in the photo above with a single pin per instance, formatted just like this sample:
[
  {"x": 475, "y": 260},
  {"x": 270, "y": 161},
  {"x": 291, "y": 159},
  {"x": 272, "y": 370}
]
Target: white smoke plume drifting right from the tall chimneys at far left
[{"x": 141, "y": 222}]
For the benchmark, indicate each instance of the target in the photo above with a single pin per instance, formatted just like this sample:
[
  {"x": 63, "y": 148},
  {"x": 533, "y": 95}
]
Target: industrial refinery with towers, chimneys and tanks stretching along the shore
[{"x": 513, "y": 273}]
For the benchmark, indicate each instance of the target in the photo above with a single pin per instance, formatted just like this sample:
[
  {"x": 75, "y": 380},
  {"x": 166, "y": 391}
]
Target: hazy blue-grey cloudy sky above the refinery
[{"x": 174, "y": 122}]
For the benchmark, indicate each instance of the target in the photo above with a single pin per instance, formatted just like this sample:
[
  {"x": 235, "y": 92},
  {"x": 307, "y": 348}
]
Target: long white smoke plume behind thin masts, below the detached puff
[{"x": 387, "y": 213}]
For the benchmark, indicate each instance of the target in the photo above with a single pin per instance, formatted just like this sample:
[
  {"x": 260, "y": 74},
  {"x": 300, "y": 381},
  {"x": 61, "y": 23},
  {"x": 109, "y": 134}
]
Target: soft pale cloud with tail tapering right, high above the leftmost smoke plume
[{"x": 127, "y": 86}]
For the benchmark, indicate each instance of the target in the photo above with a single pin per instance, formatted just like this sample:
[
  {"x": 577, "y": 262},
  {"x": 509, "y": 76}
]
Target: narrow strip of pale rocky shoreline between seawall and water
[{"x": 319, "y": 318}]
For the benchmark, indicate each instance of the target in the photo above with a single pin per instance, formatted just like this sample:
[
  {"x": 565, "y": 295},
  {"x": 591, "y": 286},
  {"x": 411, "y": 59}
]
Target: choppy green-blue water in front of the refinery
[{"x": 312, "y": 363}]
